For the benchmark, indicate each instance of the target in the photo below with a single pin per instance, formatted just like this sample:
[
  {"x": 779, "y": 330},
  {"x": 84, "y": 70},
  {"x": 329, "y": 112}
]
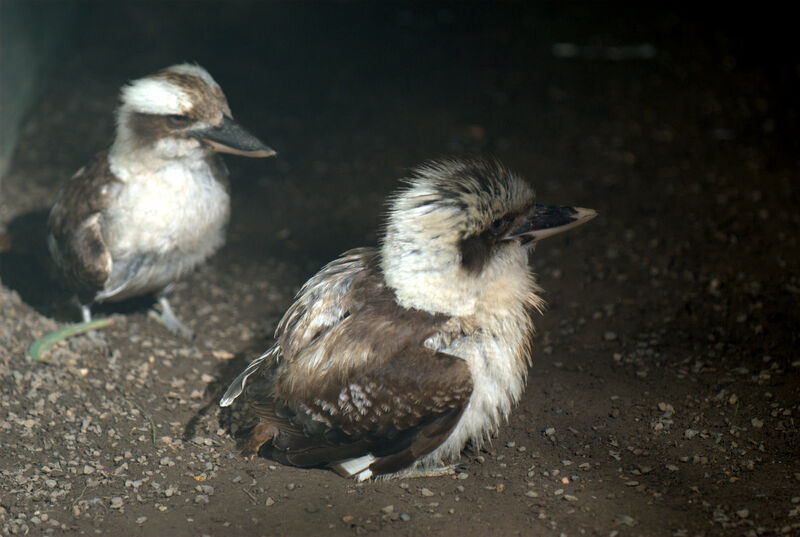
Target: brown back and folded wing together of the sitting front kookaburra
[{"x": 355, "y": 390}]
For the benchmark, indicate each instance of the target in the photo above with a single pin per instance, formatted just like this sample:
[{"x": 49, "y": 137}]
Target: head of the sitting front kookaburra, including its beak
[{"x": 457, "y": 238}]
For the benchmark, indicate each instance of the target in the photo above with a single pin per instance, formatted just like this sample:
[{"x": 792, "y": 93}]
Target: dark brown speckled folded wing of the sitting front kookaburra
[{"x": 396, "y": 412}]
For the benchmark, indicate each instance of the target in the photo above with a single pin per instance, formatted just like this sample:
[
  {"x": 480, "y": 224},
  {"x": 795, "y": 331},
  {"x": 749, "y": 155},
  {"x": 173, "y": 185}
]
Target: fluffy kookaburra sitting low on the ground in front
[{"x": 392, "y": 358}]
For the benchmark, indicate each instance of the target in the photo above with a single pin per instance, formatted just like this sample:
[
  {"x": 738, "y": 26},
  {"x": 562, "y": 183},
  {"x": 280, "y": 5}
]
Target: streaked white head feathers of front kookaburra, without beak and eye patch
[{"x": 446, "y": 202}]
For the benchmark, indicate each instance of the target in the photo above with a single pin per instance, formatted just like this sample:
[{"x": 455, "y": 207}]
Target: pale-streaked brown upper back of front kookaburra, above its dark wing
[{"x": 346, "y": 318}]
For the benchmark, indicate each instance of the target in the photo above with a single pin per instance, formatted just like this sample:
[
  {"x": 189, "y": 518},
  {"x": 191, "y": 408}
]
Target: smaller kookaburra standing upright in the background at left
[{"x": 155, "y": 204}]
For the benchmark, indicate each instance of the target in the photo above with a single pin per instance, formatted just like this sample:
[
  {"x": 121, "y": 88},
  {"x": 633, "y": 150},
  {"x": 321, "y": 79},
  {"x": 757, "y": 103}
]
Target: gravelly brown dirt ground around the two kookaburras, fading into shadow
[{"x": 663, "y": 399}]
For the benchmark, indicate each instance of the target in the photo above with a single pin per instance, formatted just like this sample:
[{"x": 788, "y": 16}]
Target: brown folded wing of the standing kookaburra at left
[{"x": 75, "y": 223}]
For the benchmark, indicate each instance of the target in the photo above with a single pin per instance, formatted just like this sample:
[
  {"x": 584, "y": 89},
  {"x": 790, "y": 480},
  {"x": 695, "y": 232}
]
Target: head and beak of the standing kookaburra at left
[{"x": 180, "y": 112}]
